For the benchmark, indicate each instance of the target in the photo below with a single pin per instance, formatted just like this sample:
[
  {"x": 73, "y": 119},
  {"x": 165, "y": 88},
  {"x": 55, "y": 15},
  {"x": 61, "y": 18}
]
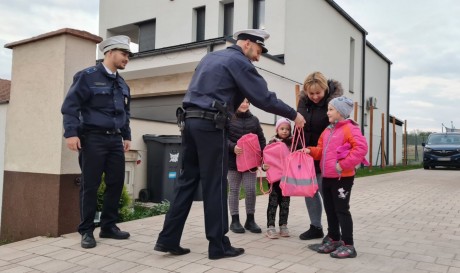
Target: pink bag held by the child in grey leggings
[{"x": 251, "y": 156}]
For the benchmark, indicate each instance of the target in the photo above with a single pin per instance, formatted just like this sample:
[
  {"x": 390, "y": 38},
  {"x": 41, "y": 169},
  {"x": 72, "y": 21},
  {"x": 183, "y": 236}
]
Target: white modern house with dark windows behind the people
[{"x": 171, "y": 37}]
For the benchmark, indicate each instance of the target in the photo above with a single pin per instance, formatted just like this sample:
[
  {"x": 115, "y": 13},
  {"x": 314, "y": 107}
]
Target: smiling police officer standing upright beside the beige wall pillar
[{"x": 96, "y": 122}]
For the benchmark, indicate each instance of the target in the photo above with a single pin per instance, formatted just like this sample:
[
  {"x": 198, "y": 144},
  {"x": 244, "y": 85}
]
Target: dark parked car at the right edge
[{"x": 441, "y": 149}]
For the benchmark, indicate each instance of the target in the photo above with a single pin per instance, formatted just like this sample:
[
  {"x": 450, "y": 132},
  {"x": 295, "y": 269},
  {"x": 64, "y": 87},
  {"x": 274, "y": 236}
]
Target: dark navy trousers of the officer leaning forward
[{"x": 204, "y": 158}]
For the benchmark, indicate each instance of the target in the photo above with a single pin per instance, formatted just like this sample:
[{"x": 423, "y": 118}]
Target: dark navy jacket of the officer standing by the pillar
[{"x": 97, "y": 100}]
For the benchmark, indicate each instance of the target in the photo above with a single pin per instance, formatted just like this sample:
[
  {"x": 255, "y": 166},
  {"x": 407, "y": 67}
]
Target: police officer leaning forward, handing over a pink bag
[{"x": 222, "y": 79}]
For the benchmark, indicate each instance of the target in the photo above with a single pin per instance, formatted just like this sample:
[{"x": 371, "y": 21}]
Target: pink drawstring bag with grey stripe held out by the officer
[{"x": 299, "y": 178}]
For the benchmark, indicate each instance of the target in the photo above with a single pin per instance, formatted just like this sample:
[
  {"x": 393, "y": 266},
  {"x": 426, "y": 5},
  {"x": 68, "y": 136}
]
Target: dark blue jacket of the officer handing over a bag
[{"x": 228, "y": 76}]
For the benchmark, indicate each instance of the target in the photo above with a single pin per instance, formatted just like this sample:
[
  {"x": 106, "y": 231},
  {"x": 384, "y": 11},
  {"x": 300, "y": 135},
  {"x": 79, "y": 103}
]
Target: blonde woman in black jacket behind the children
[{"x": 317, "y": 92}]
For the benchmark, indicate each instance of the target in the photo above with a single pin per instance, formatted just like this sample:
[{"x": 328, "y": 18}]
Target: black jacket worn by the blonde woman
[{"x": 315, "y": 114}]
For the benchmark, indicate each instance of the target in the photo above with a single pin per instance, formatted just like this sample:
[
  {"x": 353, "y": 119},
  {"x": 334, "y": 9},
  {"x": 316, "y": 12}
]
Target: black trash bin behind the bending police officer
[{"x": 163, "y": 167}]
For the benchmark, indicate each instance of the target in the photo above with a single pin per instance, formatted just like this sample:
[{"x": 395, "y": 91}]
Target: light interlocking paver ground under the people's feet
[{"x": 403, "y": 222}]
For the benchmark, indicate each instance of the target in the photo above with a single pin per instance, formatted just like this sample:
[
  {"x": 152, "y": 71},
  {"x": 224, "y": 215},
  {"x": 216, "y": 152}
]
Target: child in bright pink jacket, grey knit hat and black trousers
[{"x": 338, "y": 169}]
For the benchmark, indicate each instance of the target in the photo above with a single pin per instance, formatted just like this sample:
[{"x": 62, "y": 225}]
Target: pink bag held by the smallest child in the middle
[{"x": 275, "y": 155}]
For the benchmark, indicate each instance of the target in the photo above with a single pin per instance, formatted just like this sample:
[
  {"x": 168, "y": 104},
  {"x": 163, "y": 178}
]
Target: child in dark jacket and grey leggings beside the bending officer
[{"x": 242, "y": 122}]
